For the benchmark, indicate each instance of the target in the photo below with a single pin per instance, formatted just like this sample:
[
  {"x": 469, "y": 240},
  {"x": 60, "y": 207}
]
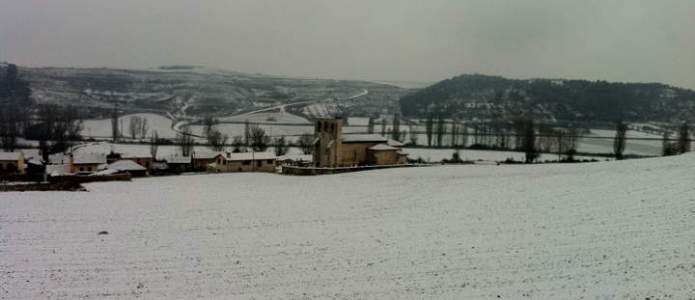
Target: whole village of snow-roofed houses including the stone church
[{"x": 333, "y": 152}]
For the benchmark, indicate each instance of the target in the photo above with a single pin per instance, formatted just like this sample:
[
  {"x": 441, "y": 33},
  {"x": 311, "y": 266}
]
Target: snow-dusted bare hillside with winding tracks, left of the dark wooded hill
[{"x": 189, "y": 91}]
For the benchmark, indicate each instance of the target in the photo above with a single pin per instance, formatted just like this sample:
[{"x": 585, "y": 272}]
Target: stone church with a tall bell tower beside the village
[{"x": 332, "y": 149}]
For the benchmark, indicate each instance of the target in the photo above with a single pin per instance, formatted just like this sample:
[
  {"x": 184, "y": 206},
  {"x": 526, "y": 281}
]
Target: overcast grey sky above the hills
[{"x": 425, "y": 40}]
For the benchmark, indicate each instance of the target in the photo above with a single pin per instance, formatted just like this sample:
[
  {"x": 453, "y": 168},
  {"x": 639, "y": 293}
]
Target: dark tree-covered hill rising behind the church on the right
[{"x": 480, "y": 96}]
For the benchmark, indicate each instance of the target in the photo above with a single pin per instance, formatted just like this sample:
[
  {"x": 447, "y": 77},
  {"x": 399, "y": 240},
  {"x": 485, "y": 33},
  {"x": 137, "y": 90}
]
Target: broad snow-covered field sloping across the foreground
[{"x": 611, "y": 230}]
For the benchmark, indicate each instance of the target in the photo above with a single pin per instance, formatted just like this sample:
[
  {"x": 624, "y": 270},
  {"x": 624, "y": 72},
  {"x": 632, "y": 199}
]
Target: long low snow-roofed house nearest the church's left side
[{"x": 243, "y": 162}]
